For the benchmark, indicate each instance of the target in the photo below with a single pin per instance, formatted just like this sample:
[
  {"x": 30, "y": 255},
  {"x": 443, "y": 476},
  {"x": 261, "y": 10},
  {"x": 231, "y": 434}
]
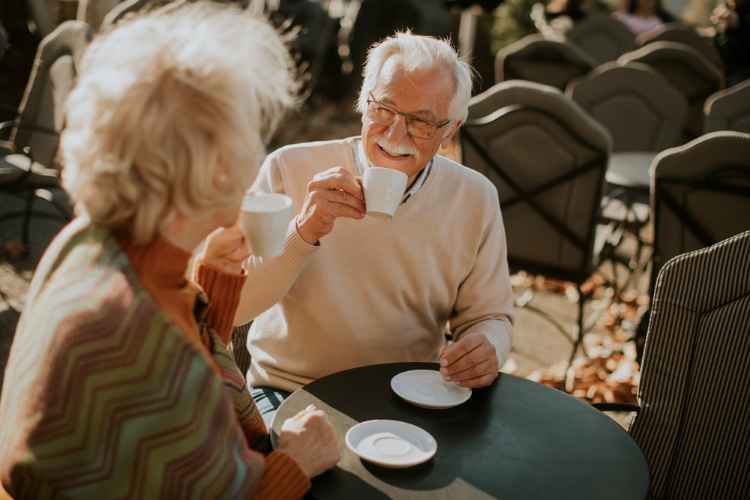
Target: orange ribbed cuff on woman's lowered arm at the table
[{"x": 282, "y": 479}]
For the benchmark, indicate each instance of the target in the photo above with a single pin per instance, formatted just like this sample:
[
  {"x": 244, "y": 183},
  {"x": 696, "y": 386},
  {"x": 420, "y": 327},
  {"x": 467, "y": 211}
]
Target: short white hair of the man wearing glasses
[{"x": 417, "y": 52}]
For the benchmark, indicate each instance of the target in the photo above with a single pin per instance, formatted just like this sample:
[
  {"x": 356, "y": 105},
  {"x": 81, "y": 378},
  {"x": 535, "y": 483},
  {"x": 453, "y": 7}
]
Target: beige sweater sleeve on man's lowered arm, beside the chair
[{"x": 484, "y": 303}]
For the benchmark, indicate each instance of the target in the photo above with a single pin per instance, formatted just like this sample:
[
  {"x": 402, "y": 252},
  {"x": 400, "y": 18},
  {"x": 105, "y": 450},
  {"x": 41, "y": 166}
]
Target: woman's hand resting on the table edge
[{"x": 309, "y": 439}]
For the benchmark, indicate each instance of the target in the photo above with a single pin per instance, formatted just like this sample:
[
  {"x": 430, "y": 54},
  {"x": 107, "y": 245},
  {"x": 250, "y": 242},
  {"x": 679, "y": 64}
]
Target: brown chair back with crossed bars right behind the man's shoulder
[{"x": 547, "y": 158}]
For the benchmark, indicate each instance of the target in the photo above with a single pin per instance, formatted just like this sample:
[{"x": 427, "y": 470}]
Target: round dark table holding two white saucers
[{"x": 513, "y": 440}]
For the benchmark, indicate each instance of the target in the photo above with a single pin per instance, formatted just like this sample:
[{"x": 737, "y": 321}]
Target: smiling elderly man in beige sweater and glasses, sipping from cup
[{"x": 348, "y": 290}]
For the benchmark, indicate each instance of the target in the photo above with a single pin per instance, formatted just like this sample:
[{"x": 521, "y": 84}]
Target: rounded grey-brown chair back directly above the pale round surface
[{"x": 638, "y": 107}]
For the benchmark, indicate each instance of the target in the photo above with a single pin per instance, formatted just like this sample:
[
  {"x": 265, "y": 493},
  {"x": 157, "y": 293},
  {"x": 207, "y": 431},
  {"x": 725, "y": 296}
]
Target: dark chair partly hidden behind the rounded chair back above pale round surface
[{"x": 688, "y": 71}]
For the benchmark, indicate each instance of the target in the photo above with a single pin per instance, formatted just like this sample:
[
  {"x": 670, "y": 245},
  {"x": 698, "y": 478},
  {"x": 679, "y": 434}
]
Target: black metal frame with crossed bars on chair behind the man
[{"x": 527, "y": 197}]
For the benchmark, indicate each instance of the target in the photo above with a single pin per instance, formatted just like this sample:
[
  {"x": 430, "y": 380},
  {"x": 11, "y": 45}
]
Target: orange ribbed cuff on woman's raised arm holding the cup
[{"x": 223, "y": 291}]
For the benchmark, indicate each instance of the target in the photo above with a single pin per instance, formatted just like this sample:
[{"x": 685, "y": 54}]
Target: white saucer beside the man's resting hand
[{"x": 426, "y": 388}]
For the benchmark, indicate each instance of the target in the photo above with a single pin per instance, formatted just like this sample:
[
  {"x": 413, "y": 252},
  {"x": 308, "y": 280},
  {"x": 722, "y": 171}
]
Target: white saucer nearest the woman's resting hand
[{"x": 391, "y": 443}]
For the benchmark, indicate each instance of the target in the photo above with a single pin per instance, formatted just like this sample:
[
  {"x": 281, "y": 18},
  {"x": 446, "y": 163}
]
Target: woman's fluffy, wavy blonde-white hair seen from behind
[{"x": 170, "y": 113}]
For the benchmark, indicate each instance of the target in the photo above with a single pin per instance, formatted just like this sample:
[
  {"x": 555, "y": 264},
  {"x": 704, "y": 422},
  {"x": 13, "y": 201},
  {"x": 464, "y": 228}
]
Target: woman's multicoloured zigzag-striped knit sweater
[{"x": 107, "y": 396}]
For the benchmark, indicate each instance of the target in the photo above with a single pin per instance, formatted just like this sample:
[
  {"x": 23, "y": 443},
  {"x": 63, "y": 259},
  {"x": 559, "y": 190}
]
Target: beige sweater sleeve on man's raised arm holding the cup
[{"x": 270, "y": 279}]
